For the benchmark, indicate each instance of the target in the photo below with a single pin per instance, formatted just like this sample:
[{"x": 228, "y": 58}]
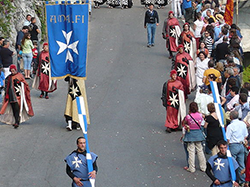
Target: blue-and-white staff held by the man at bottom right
[{"x": 219, "y": 112}]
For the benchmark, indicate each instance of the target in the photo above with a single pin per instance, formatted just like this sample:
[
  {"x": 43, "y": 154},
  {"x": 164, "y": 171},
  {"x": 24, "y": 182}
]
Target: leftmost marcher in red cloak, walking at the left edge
[{"x": 17, "y": 106}]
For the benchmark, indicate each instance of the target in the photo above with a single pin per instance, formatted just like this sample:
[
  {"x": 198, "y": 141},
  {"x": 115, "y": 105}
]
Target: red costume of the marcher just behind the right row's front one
[{"x": 182, "y": 68}]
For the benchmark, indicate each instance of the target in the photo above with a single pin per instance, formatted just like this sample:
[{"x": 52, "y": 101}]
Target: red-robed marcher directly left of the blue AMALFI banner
[{"x": 42, "y": 80}]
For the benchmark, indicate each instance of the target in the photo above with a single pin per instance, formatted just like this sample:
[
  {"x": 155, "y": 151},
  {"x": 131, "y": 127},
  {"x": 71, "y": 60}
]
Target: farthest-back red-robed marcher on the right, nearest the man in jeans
[{"x": 171, "y": 32}]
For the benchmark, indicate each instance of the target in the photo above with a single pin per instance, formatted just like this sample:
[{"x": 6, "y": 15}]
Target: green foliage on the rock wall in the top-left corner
[{"x": 6, "y": 8}]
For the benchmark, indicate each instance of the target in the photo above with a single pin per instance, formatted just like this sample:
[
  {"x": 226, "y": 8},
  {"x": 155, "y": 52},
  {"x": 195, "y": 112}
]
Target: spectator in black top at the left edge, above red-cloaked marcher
[{"x": 6, "y": 56}]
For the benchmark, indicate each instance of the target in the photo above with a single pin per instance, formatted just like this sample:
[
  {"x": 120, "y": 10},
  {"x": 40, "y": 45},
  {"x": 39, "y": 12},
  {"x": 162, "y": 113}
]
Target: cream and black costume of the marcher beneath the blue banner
[{"x": 76, "y": 89}]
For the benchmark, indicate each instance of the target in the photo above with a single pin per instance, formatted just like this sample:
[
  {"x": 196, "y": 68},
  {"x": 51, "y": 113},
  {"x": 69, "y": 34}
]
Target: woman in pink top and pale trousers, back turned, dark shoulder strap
[{"x": 194, "y": 137}]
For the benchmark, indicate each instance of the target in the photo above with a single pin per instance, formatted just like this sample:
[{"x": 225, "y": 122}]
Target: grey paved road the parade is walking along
[{"x": 127, "y": 120}]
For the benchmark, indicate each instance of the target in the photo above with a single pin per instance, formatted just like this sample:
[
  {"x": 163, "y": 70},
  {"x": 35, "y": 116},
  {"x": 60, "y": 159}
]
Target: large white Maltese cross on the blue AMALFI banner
[{"x": 67, "y": 46}]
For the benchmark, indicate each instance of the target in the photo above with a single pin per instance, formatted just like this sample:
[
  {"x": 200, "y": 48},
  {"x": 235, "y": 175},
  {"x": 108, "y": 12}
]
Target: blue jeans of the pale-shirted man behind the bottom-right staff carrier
[{"x": 237, "y": 151}]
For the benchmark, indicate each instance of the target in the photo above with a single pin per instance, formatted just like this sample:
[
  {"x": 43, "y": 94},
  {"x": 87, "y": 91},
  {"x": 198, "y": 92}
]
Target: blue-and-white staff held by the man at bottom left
[{"x": 84, "y": 126}]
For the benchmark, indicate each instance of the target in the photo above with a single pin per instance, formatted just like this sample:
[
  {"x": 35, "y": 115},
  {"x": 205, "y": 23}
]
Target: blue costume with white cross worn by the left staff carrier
[{"x": 77, "y": 167}]
